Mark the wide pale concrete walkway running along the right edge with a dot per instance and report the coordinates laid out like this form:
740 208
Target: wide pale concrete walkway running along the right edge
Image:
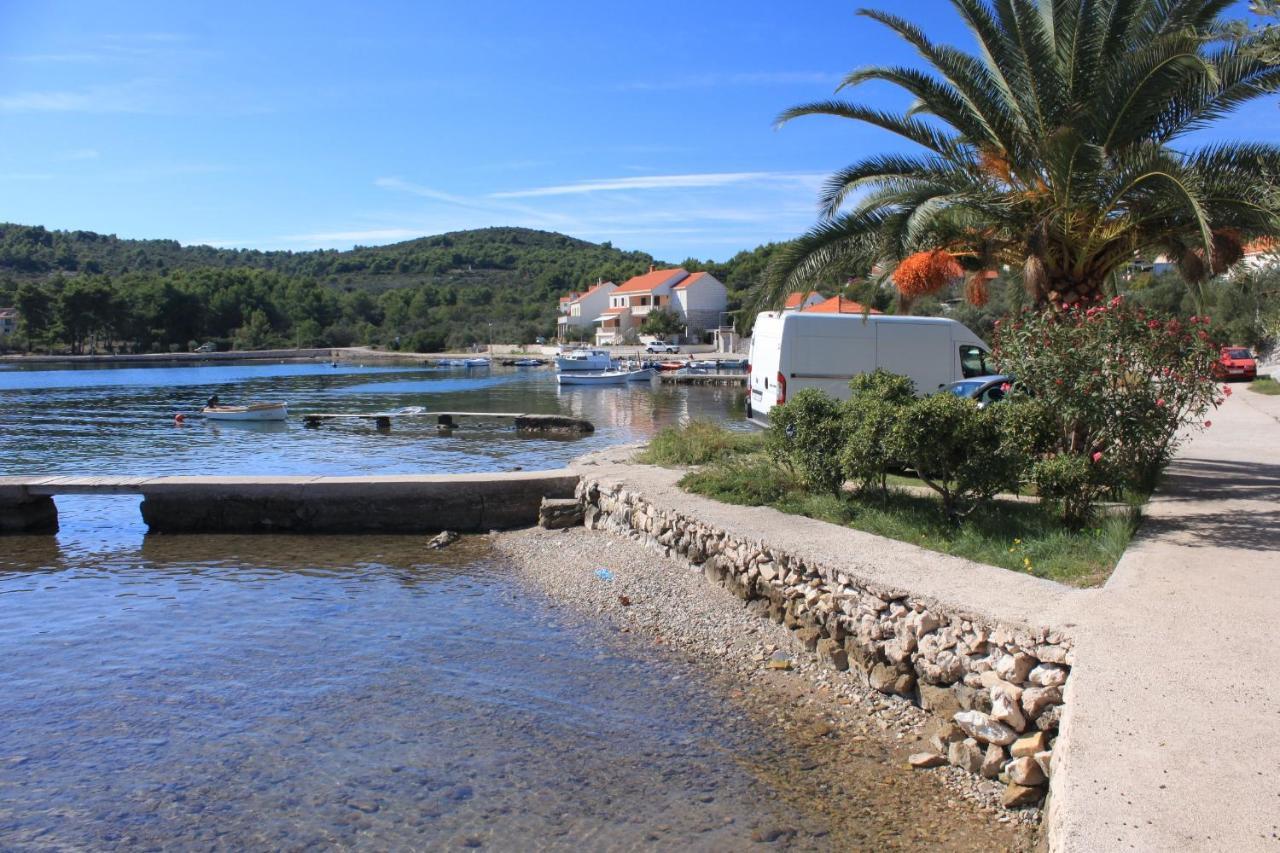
1173 732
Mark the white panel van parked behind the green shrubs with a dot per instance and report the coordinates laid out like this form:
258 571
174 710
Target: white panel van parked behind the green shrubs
794 350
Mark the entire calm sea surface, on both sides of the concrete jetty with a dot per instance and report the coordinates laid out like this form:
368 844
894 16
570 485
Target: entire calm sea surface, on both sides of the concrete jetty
286 692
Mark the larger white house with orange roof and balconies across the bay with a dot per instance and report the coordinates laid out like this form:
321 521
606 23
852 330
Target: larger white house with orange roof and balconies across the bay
698 300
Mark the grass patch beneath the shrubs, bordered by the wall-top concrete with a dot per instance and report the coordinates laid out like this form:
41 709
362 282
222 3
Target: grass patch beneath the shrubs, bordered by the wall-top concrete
1016 536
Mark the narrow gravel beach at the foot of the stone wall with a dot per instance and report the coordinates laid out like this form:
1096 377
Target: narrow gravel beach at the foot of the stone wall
847 746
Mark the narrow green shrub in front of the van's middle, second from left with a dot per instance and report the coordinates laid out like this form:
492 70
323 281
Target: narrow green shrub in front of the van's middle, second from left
870 416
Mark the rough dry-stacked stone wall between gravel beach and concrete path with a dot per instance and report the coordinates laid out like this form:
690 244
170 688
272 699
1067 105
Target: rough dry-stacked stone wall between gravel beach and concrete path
996 691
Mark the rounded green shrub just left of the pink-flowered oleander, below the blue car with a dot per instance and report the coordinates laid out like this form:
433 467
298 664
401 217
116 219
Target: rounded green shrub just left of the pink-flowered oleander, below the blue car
957 450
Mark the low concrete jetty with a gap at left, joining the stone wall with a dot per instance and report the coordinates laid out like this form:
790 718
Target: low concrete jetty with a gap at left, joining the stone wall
387 504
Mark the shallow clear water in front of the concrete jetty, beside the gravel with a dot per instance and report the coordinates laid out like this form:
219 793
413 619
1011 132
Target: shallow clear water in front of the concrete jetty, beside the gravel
292 692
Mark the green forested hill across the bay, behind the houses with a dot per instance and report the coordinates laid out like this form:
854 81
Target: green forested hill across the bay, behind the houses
81 290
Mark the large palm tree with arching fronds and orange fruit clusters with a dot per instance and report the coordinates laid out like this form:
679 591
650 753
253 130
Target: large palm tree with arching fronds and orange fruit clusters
1053 150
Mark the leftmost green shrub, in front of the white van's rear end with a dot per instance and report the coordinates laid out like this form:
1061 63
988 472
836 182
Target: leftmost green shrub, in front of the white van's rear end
808 436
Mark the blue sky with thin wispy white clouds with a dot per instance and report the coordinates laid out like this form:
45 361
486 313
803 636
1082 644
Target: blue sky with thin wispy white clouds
328 125
